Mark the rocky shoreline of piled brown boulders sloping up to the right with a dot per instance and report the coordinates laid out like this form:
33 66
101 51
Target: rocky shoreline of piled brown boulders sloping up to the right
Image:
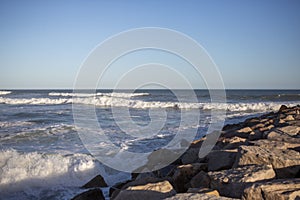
256 159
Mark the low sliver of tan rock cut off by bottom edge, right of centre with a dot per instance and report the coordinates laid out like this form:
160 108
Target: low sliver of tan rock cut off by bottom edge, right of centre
196 196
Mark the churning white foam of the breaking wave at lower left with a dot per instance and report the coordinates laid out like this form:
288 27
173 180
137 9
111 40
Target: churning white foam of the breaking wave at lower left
20 171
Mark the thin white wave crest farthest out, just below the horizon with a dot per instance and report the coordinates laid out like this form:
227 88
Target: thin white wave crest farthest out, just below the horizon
113 94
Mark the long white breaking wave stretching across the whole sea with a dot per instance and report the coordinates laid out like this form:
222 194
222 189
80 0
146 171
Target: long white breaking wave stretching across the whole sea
107 101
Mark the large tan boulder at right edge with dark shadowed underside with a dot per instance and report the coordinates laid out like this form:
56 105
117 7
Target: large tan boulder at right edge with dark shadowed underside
286 163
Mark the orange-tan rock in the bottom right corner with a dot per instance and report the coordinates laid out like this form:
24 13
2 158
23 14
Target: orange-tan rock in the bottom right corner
275 189
